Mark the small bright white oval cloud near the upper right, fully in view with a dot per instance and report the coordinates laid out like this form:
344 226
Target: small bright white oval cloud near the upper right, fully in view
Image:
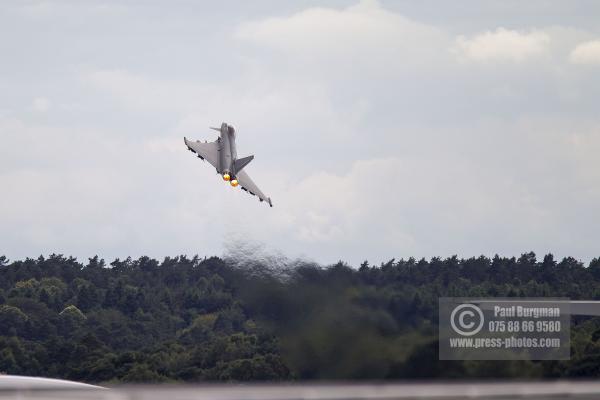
501 45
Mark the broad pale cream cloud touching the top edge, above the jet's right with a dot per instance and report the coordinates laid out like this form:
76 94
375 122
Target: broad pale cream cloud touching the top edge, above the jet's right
365 34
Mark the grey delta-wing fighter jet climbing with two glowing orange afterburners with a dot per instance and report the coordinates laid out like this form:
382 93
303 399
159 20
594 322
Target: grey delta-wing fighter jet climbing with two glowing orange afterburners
222 155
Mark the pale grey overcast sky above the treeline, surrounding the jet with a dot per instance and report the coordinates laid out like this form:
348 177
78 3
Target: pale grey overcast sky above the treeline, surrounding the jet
380 129
